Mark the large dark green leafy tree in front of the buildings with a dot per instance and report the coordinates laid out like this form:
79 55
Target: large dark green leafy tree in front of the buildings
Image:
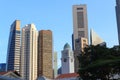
99 62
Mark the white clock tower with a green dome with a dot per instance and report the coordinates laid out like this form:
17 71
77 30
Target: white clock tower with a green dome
67 60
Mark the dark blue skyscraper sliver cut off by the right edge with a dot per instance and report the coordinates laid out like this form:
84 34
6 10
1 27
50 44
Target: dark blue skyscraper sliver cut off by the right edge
118 18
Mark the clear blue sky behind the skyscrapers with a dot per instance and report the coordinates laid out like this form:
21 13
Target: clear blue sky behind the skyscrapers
56 15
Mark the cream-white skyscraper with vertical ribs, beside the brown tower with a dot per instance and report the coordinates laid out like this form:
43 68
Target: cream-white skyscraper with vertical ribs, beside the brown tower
28 68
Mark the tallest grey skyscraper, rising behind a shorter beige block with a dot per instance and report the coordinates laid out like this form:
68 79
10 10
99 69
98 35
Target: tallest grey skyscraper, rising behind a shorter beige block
80 24
